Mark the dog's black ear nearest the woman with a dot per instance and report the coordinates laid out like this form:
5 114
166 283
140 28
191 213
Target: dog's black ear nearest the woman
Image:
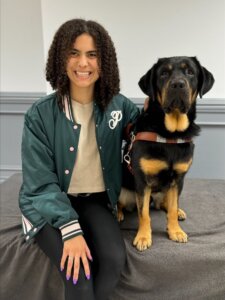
146 83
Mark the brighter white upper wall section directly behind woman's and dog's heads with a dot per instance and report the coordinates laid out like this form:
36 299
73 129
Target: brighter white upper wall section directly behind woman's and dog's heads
145 30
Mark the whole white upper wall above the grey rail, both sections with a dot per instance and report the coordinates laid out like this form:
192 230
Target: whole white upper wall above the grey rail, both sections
142 31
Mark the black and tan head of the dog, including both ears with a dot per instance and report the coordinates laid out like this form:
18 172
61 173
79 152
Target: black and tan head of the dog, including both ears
175 82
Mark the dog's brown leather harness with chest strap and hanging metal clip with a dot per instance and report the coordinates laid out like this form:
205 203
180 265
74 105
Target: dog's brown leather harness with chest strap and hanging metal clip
149 136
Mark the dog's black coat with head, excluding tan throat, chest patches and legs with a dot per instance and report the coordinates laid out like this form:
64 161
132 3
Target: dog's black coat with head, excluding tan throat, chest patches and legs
172 84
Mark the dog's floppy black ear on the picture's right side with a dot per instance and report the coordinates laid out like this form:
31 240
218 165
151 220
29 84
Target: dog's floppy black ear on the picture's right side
206 79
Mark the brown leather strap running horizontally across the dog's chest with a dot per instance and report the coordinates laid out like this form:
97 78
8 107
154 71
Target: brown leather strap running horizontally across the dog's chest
154 137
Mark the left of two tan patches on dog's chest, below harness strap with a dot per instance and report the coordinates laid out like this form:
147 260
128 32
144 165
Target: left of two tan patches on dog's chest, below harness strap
152 166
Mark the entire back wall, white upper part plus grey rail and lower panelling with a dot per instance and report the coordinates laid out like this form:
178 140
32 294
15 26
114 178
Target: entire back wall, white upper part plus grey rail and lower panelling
143 31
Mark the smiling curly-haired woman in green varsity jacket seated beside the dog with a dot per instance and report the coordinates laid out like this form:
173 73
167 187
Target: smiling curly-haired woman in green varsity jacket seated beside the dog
71 157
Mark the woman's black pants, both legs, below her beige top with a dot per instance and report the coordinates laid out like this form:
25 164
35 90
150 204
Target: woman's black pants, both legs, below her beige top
103 237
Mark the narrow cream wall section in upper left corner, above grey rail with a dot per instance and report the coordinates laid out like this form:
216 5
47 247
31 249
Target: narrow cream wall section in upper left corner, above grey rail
22 54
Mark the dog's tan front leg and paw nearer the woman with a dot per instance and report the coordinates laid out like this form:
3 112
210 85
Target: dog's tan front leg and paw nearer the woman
143 239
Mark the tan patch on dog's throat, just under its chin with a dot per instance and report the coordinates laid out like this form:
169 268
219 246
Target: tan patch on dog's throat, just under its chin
176 121
